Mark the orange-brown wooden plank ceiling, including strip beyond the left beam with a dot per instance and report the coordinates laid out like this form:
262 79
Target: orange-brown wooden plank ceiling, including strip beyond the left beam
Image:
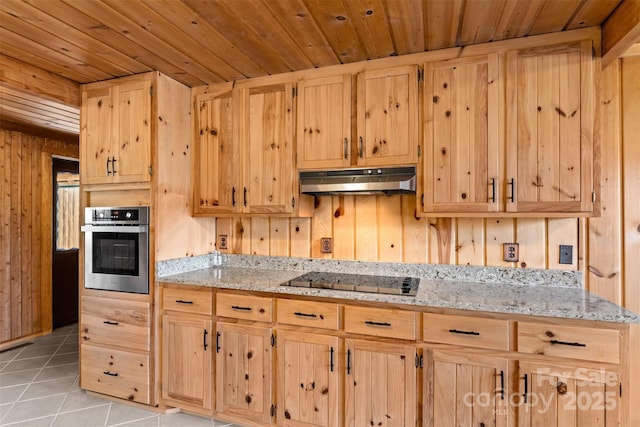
200 42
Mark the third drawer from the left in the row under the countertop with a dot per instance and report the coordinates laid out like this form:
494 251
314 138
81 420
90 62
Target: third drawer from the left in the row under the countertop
308 313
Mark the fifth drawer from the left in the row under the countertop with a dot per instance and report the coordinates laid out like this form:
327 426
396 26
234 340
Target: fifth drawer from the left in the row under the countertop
467 331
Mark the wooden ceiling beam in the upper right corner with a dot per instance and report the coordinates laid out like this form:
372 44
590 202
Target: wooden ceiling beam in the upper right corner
620 31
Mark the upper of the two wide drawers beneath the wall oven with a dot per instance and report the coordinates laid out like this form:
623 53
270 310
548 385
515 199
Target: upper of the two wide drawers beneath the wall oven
113 322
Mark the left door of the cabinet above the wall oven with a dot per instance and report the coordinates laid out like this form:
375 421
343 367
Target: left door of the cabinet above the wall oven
96 136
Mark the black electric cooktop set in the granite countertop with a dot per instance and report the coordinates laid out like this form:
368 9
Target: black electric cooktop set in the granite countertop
357 282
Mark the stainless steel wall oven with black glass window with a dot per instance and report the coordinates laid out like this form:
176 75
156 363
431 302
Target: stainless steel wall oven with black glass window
116 249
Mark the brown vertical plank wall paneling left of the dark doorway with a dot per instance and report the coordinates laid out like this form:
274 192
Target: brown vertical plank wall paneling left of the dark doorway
25 232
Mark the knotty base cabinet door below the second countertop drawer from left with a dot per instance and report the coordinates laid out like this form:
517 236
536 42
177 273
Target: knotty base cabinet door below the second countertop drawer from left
244 366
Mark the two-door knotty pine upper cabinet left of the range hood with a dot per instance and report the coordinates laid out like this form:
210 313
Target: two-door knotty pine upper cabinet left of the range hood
244 158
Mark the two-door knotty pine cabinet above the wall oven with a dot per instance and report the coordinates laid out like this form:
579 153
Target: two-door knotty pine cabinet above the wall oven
115 131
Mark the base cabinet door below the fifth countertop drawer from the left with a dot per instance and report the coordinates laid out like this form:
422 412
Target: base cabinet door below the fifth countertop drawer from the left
465 390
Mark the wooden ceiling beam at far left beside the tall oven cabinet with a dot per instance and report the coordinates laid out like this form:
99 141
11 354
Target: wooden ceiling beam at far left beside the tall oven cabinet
33 80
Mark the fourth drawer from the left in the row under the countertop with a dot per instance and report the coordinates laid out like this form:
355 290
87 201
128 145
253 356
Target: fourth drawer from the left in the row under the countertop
380 322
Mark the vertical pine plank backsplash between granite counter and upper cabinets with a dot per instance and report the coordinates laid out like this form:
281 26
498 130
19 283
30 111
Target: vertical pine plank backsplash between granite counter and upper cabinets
385 228
